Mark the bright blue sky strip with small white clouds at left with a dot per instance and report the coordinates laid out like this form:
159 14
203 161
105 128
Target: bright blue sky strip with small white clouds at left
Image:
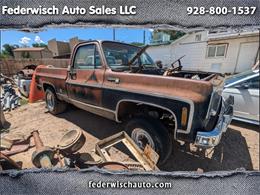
64 34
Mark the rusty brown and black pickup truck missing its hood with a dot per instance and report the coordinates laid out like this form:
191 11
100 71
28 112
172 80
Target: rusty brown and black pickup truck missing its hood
121 82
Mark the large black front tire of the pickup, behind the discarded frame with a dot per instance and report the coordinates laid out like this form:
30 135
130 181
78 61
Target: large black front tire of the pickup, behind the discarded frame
157 131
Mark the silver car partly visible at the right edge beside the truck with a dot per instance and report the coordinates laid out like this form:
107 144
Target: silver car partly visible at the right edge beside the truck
245 89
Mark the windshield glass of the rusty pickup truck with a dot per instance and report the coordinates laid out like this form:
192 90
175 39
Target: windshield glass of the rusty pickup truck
118 56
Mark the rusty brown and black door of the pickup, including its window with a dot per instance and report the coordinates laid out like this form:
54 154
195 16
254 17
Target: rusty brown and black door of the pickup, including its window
86 75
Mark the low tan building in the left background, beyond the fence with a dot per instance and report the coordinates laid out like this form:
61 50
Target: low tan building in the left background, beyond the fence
32 52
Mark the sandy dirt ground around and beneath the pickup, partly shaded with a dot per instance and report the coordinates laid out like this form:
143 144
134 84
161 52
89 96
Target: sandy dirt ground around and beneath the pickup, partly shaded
239 147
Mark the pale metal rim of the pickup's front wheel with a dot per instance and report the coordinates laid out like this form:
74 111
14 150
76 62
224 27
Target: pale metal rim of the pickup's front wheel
141 138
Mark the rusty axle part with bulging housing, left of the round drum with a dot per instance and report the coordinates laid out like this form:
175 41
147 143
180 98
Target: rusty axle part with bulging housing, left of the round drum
42 157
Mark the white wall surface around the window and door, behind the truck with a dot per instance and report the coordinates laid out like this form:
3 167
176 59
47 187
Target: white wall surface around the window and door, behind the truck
195 53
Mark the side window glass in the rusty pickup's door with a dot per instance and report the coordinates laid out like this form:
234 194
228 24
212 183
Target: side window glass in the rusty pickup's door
87 57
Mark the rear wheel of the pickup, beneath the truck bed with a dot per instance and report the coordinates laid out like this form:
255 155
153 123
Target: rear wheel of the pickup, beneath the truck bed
58 106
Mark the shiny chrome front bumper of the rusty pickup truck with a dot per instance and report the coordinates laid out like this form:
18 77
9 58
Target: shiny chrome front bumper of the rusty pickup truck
212 138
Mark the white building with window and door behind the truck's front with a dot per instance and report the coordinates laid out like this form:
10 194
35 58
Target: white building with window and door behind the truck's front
224 52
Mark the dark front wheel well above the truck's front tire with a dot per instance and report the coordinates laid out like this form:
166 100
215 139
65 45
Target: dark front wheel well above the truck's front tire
129 109
